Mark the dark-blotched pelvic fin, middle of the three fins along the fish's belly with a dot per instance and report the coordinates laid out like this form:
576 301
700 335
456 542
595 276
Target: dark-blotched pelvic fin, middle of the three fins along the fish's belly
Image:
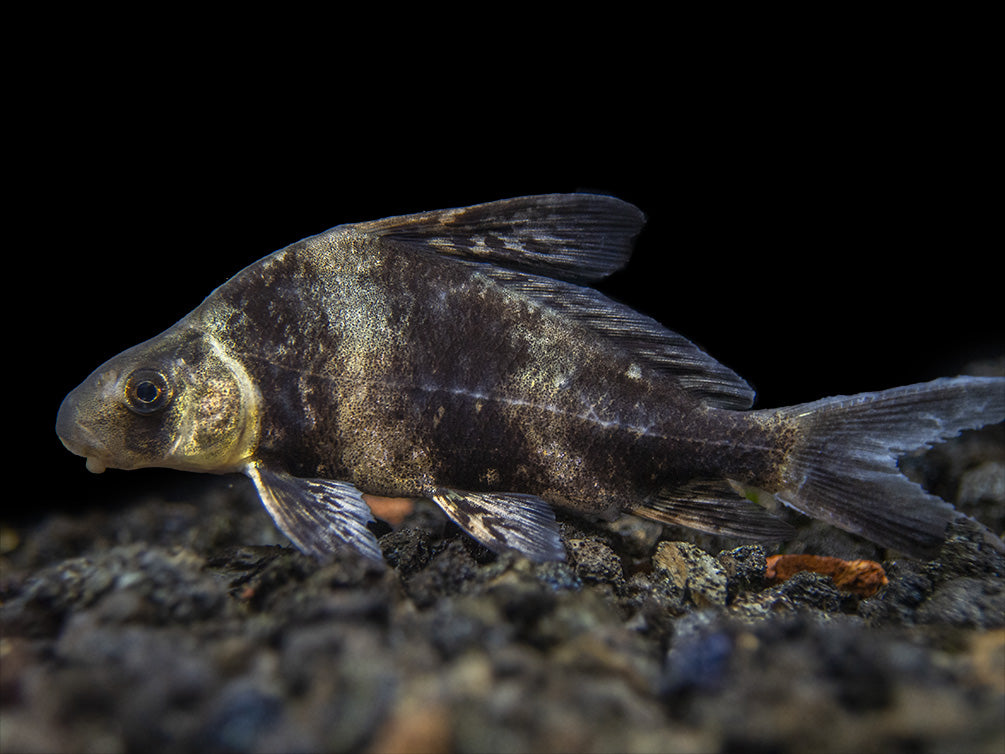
506 521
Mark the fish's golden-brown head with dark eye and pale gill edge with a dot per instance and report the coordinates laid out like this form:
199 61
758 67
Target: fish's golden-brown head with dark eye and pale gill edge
176 402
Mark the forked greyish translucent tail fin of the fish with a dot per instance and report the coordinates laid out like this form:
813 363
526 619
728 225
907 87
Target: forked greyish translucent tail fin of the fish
844 468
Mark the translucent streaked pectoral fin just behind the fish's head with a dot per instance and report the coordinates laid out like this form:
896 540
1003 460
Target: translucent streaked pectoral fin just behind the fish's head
319 516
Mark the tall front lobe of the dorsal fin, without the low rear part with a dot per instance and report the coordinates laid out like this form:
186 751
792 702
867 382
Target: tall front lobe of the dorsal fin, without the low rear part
576 238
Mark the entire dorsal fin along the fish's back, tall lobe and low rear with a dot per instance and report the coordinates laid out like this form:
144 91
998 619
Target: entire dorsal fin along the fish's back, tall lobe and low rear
541 248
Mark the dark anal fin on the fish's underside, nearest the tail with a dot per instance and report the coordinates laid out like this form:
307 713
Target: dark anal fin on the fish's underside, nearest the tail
713 506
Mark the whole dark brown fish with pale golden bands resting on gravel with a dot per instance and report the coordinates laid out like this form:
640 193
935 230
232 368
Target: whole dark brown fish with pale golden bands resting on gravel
464 356
